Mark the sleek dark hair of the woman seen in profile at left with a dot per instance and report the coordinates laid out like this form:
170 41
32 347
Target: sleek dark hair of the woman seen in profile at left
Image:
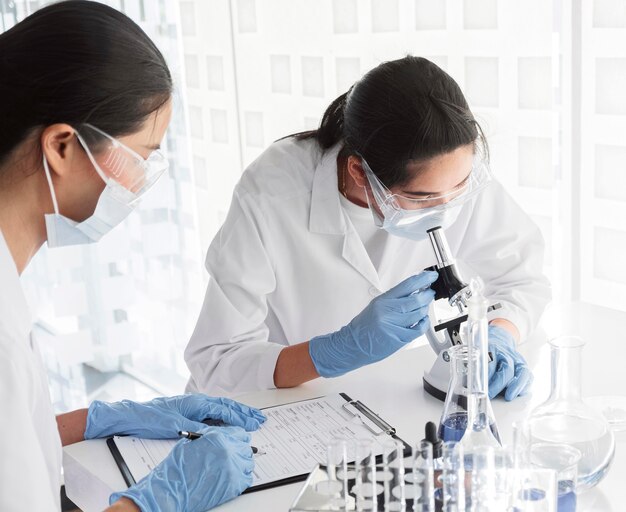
78 62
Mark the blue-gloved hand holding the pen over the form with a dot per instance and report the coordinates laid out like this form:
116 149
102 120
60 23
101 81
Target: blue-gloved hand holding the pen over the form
196 475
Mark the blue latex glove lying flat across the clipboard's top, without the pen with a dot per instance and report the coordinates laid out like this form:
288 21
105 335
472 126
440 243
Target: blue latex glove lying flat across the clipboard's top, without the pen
163 417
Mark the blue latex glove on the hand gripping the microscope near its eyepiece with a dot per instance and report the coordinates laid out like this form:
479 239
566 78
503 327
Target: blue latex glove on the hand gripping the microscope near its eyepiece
388 323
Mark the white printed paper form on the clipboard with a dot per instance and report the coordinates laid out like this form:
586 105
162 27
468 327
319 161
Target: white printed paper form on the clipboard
294 439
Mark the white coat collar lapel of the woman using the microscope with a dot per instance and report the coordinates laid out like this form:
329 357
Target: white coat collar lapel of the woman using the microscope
327 216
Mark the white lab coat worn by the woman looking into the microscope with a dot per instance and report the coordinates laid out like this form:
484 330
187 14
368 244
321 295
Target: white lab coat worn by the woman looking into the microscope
288 265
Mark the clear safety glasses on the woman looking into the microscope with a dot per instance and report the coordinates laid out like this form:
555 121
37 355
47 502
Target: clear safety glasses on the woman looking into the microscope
388 202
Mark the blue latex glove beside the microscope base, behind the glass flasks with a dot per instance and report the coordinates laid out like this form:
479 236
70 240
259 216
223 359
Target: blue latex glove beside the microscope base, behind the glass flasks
508 370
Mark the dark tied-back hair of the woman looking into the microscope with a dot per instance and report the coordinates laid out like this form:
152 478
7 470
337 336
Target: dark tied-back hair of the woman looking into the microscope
402 111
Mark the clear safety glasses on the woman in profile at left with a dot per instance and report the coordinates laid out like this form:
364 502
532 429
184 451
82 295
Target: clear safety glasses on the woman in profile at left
118 164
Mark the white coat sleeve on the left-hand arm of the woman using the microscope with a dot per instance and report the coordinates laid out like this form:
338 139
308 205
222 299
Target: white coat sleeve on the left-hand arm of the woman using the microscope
229 351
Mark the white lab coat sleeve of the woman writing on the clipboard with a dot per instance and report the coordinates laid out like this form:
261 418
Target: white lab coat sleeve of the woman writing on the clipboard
23 470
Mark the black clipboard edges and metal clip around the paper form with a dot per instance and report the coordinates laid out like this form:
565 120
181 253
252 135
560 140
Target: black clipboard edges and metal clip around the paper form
354 409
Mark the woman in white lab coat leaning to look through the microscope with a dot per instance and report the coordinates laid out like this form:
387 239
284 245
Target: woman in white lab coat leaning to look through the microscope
317 268
